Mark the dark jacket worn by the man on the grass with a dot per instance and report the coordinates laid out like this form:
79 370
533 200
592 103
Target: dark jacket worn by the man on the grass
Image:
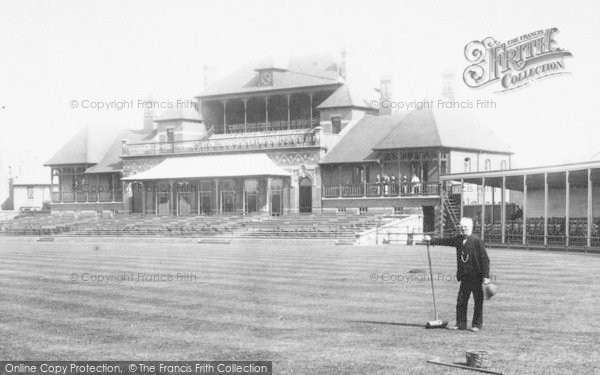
472 262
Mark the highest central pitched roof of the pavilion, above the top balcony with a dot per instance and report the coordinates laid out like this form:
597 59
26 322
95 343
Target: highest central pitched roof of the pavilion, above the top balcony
304 71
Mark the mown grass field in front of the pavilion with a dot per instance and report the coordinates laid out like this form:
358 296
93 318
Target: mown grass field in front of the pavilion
310 307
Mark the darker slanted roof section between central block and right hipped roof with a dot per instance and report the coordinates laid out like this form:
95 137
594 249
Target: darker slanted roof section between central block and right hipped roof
357 145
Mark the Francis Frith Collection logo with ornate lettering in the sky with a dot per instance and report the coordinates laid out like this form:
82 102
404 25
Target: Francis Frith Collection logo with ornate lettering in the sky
515 63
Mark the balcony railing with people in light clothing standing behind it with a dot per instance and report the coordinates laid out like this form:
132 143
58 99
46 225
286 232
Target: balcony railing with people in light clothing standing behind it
372 190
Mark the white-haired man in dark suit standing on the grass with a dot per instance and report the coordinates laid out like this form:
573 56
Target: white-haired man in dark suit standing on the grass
472 269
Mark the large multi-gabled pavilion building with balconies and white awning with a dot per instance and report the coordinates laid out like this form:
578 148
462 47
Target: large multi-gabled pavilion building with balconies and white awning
275 138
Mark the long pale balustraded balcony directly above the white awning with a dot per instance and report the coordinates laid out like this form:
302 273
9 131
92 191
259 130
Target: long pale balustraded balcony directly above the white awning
225 143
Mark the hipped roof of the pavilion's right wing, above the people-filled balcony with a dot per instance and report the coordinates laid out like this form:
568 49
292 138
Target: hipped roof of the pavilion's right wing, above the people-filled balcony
449 128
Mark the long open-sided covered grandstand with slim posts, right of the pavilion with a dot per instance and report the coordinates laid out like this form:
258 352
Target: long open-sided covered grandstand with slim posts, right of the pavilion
555 205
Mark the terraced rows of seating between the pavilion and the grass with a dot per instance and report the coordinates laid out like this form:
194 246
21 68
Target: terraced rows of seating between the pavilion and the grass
290 226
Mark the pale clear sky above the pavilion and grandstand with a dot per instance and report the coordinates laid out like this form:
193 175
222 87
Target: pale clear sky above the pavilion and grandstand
52 53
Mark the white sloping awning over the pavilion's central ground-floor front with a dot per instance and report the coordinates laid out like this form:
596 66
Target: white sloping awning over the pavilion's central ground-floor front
239 165
